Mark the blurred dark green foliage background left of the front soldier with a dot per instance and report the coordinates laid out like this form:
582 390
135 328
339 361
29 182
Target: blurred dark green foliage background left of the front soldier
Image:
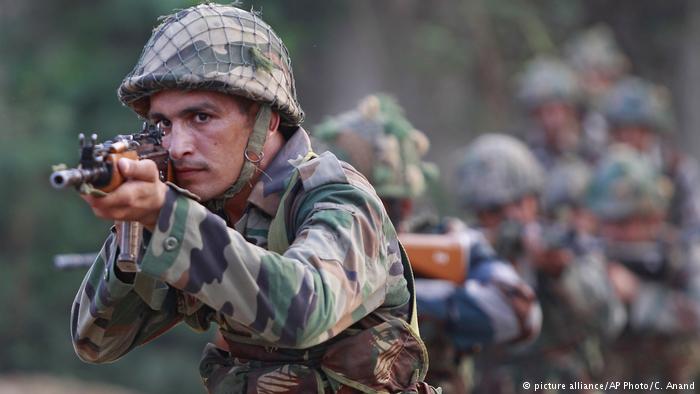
61 63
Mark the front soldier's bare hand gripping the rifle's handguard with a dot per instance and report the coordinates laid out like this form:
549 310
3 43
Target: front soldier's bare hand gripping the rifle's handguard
139 199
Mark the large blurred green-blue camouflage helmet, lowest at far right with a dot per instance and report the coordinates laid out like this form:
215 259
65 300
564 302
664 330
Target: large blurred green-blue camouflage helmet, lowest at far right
626 184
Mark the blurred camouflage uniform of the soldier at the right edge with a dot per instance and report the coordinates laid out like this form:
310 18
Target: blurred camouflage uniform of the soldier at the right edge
661 339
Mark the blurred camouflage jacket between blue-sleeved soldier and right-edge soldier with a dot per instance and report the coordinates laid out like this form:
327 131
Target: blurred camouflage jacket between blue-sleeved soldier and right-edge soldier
581 312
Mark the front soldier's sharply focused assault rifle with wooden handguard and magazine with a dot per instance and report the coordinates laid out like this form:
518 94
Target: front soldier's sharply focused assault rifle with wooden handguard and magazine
97 173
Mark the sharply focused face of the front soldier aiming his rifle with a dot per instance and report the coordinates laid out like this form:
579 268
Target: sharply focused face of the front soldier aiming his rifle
206 134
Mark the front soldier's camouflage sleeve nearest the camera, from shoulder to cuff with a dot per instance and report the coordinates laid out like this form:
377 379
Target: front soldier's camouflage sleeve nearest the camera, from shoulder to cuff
334 273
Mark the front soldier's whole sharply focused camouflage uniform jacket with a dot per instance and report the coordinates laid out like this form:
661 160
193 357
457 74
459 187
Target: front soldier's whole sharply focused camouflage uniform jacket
342 273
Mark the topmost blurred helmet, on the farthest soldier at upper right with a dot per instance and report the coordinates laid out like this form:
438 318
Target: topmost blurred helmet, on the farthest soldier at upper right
596 50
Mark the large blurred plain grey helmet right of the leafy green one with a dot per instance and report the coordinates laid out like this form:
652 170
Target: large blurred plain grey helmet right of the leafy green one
497 169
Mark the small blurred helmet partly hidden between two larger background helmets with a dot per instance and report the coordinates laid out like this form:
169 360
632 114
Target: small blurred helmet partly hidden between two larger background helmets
566 185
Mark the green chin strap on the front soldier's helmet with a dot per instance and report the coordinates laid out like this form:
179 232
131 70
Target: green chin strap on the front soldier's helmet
253 155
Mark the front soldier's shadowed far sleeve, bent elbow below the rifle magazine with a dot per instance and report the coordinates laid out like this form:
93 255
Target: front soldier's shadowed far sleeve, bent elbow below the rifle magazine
109 318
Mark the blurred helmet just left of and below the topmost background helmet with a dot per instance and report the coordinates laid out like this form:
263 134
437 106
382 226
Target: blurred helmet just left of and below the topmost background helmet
546 79
